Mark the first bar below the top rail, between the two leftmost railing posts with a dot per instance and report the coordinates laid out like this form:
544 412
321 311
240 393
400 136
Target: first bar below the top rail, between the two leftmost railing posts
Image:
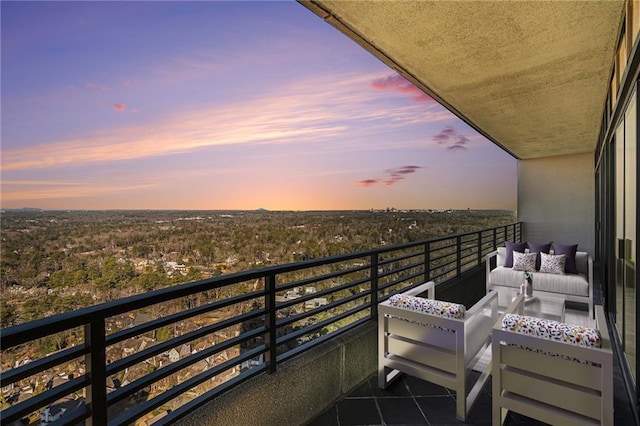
179 316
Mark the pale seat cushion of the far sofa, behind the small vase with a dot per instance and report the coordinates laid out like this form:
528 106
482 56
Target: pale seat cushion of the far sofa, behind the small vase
573 284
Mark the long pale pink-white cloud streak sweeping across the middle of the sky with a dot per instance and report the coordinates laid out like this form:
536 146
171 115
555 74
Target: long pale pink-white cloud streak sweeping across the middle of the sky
317 109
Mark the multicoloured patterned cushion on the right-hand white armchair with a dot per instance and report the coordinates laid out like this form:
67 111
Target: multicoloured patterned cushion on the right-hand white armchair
552 330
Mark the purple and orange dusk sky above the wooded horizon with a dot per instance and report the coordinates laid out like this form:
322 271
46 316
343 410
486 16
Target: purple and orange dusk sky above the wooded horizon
221 105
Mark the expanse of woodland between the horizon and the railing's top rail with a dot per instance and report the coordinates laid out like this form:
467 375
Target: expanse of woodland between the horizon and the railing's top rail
55 261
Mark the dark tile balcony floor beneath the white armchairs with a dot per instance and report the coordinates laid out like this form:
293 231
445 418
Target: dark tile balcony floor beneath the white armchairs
411 401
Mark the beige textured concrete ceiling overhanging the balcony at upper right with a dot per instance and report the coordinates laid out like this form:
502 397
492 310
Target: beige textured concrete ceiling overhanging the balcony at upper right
530 75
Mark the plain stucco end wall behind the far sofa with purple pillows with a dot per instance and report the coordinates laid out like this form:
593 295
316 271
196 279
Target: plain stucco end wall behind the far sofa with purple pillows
556 200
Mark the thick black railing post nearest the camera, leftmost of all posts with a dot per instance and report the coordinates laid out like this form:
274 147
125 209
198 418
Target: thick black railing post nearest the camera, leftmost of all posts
96 368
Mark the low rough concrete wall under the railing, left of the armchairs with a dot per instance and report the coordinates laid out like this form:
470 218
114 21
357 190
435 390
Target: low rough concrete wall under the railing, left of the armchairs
301 388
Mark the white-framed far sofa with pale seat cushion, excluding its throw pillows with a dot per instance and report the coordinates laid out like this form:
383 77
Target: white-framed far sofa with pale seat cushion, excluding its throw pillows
573 287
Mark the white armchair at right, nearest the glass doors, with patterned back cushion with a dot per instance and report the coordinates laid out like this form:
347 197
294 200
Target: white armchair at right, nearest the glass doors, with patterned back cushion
536 372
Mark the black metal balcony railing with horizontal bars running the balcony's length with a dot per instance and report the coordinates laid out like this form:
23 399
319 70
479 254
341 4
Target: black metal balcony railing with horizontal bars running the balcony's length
158 356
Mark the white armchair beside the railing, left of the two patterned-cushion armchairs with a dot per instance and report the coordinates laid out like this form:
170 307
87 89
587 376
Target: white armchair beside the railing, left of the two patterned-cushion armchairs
434 347
